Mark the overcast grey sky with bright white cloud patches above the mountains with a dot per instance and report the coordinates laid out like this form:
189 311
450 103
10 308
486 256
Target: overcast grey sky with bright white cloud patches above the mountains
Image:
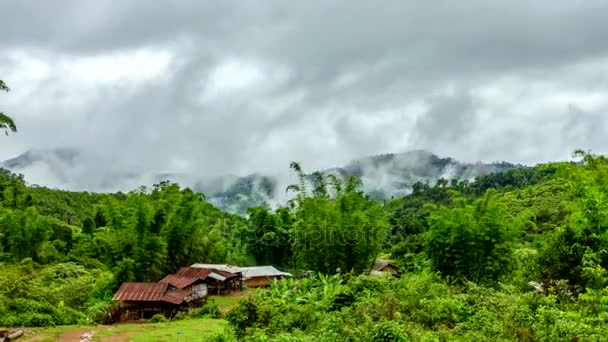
219 87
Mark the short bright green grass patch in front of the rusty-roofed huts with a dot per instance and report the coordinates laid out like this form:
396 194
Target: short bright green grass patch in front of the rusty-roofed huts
176 331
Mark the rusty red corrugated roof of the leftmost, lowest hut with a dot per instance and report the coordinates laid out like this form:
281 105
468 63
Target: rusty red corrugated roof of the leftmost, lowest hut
149 292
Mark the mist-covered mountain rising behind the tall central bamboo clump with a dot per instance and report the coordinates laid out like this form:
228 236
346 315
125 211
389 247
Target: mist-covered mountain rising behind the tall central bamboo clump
383 177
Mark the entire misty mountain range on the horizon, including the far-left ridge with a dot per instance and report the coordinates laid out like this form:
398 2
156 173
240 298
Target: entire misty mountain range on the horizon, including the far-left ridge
383 176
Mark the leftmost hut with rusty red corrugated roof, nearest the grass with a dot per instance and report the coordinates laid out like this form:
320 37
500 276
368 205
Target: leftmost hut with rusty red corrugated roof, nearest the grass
144 300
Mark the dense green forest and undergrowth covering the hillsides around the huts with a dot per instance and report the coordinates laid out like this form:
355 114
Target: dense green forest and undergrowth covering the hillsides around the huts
519 255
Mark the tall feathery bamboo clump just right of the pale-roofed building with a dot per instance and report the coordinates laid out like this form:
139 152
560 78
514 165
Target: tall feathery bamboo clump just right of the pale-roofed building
336 234
